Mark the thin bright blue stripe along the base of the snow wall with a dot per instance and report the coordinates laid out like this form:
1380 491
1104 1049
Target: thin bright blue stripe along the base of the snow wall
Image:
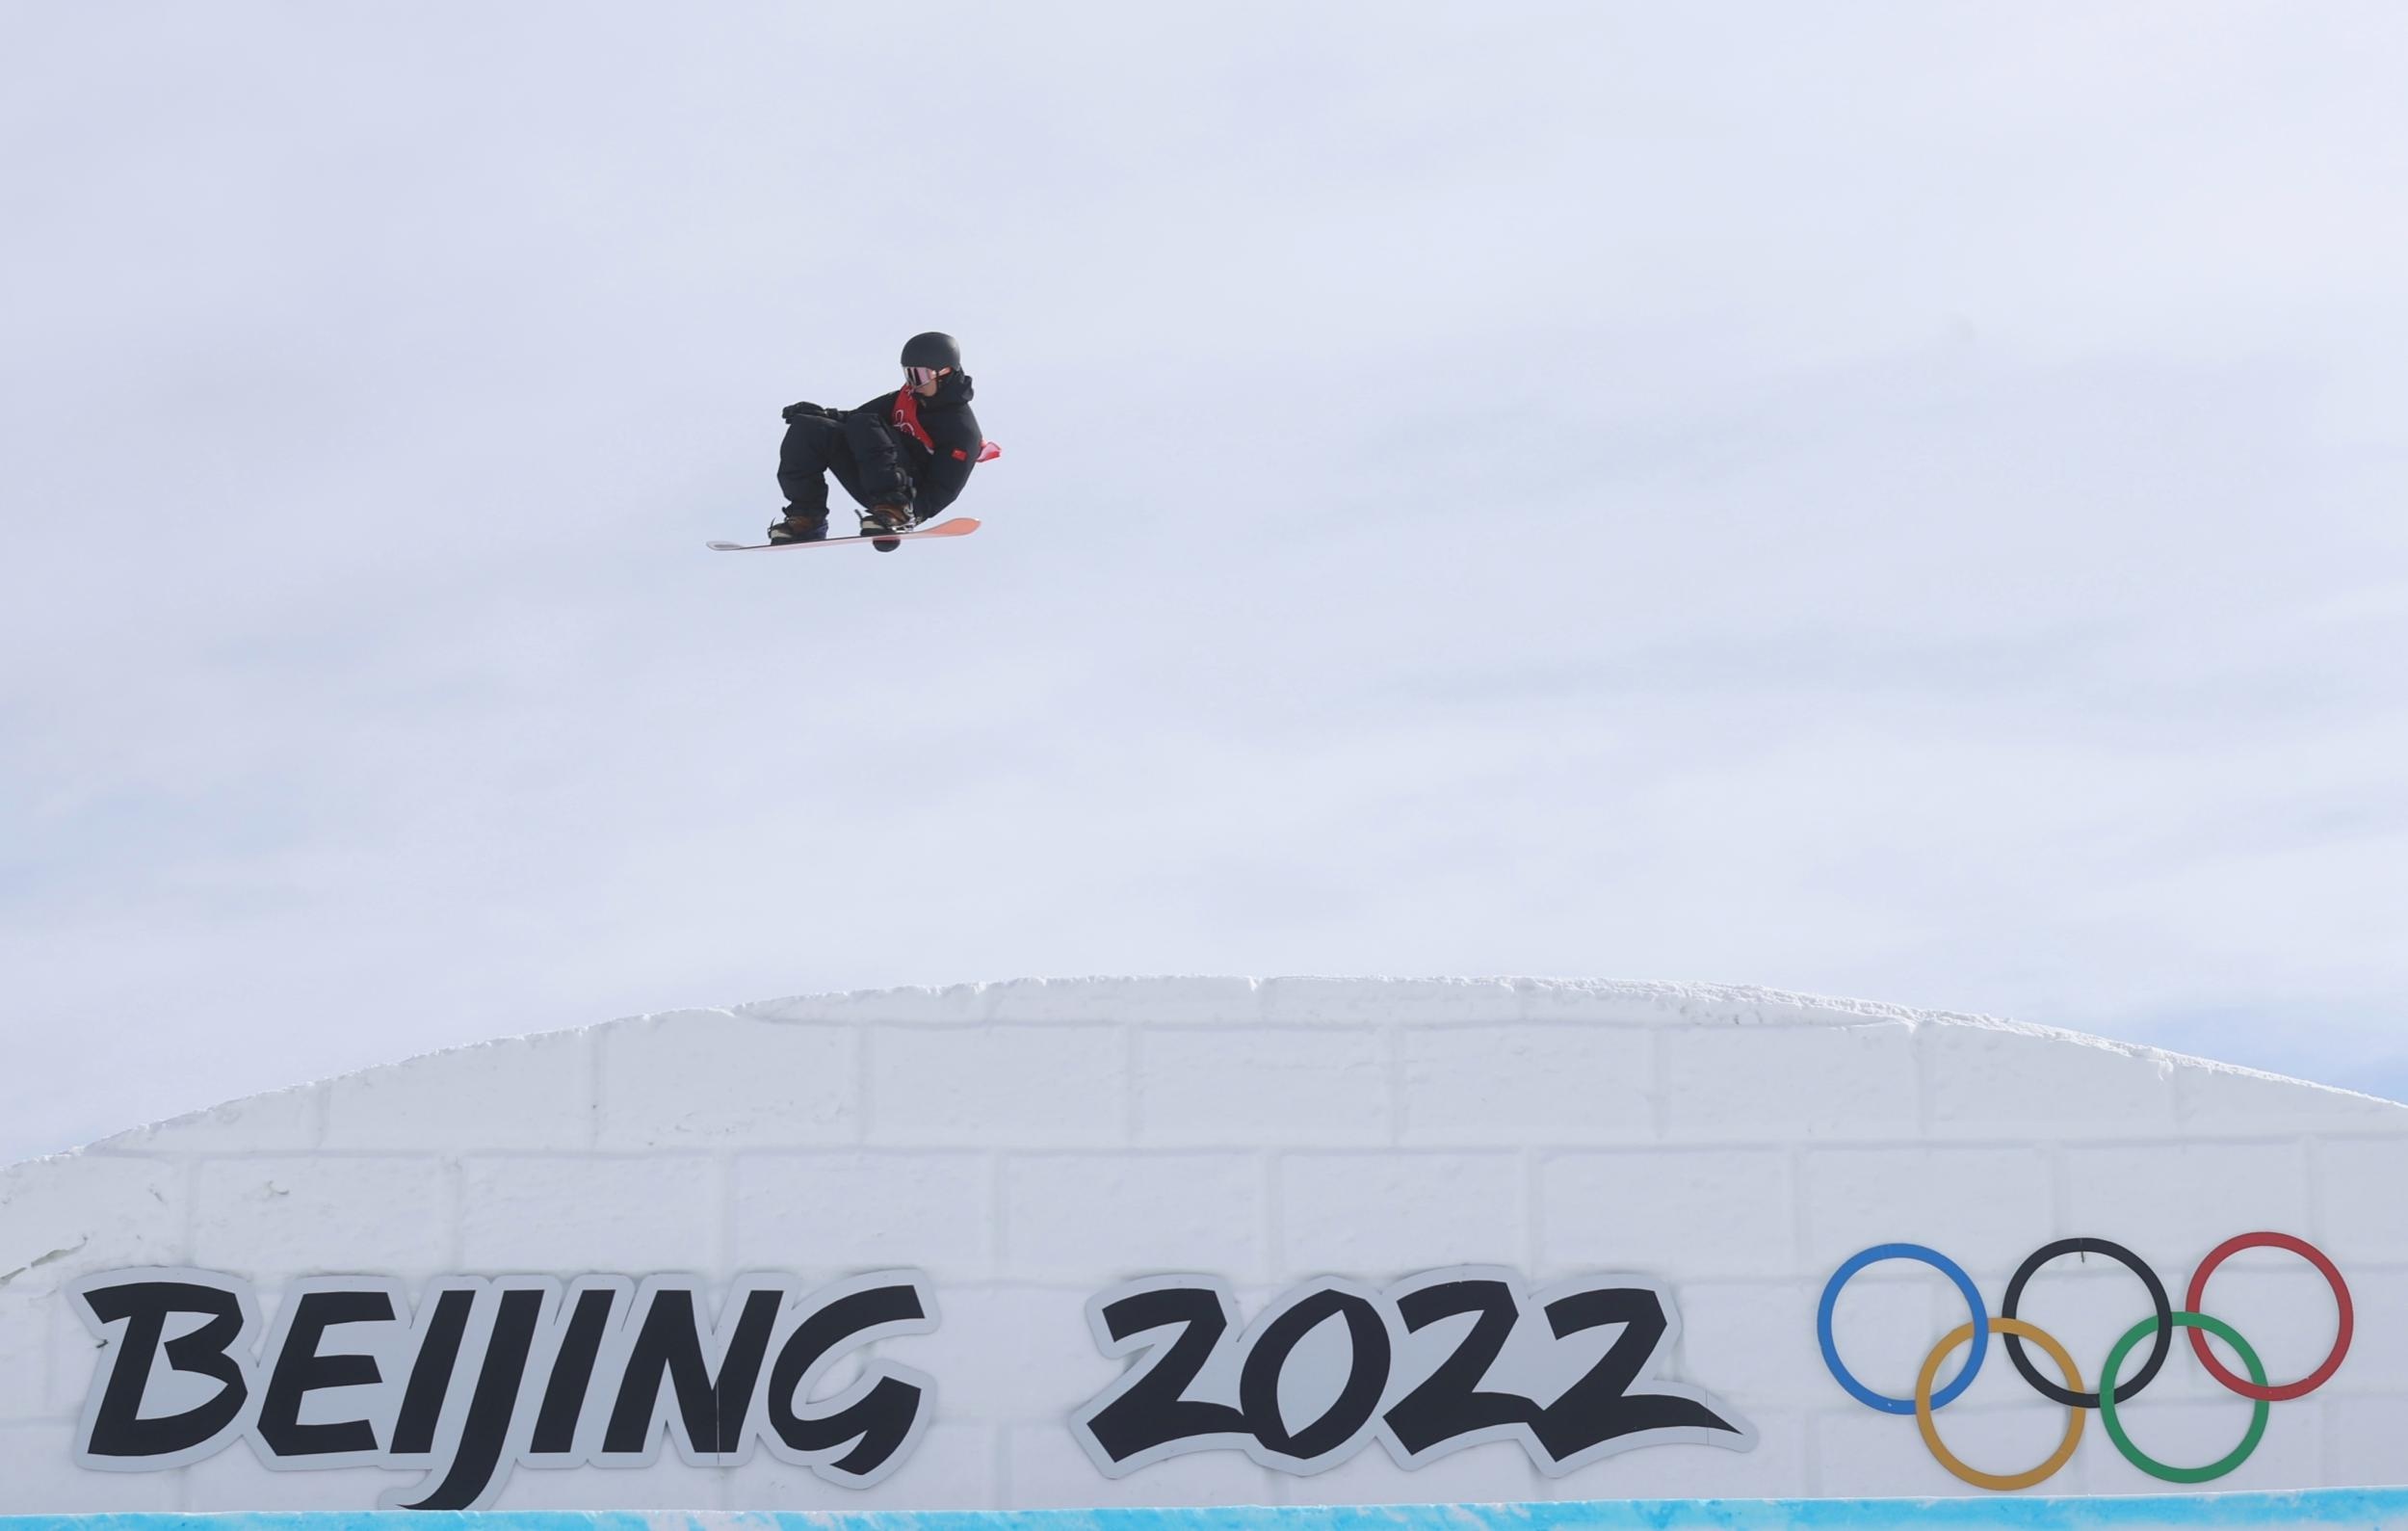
2339 1508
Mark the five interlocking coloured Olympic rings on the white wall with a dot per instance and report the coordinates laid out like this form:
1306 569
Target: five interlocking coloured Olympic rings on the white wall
2159 1330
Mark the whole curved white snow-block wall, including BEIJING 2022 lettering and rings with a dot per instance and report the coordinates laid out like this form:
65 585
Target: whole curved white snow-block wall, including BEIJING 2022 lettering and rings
1489 1253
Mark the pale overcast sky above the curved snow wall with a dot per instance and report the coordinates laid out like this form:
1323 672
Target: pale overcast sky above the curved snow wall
1875 500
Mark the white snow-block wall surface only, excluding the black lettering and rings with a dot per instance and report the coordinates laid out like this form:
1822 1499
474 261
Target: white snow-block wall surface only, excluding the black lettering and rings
1032 1145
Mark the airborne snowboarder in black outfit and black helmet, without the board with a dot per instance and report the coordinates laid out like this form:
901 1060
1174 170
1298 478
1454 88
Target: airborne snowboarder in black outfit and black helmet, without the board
904 456
